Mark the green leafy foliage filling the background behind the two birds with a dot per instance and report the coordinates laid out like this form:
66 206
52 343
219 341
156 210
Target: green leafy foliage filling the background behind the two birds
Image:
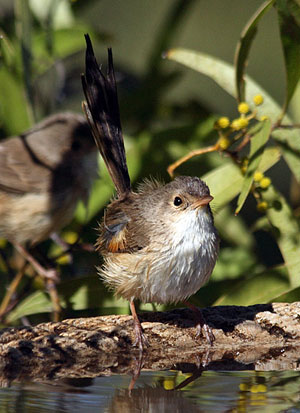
168 110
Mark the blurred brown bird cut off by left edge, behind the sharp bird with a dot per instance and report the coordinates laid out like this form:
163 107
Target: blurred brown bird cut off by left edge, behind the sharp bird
44 172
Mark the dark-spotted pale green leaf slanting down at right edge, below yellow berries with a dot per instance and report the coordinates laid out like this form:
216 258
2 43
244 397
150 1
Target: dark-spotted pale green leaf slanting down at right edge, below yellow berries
286 231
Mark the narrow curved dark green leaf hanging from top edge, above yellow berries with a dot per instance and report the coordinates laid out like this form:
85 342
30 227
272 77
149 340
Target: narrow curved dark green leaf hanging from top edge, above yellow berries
243 47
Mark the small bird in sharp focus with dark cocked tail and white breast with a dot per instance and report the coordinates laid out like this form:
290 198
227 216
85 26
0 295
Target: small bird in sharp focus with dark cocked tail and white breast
158 242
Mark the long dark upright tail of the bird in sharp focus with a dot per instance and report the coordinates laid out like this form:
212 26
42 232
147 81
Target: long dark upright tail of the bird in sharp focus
102 112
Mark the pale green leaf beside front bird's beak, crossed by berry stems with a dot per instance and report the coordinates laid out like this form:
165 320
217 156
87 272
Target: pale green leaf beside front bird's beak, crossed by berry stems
225 182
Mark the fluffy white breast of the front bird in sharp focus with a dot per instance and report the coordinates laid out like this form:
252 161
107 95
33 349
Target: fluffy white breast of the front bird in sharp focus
187 260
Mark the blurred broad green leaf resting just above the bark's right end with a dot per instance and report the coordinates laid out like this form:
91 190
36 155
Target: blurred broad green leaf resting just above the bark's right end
260 288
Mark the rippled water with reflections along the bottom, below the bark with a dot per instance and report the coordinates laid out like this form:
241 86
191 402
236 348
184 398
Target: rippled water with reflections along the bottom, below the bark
167 391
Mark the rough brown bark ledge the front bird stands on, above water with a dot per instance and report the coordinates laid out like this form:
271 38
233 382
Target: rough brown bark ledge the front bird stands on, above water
262 337
